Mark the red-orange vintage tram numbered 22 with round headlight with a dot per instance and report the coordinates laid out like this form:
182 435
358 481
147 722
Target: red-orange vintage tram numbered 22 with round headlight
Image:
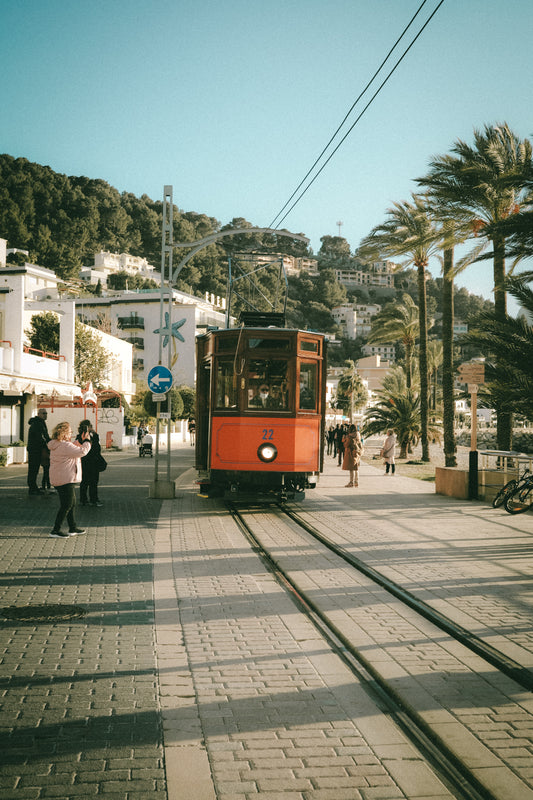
260 411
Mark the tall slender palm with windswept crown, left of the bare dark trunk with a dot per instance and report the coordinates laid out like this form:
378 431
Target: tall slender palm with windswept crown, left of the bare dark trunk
410 231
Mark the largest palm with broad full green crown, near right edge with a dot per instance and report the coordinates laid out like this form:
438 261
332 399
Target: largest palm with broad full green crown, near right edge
486 183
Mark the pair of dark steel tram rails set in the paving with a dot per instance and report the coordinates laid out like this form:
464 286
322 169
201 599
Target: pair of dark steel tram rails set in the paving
447 761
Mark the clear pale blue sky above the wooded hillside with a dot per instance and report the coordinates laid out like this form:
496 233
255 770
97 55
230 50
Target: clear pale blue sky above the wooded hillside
231 102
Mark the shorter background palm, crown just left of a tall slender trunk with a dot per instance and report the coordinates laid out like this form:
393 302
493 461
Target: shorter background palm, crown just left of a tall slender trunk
398 321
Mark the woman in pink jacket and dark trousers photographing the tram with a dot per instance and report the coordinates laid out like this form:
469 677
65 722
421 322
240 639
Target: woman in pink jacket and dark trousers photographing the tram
65 473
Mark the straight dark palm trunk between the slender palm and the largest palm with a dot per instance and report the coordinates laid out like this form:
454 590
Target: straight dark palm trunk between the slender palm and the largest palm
448 400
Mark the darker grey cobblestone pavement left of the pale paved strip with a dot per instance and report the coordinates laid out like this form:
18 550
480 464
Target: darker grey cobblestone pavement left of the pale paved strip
79 714
